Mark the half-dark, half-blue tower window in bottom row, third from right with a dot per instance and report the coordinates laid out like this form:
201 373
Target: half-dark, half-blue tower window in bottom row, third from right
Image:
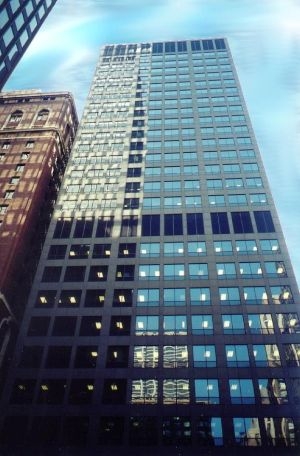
209 431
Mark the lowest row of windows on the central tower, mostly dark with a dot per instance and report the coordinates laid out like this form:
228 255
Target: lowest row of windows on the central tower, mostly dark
144 431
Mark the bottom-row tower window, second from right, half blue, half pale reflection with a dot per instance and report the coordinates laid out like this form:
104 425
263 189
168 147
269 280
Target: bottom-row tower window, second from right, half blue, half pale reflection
247 431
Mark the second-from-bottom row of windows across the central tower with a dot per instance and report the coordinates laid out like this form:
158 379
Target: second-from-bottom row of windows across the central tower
151 391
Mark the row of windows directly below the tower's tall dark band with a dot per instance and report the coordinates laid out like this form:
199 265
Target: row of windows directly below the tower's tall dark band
166 249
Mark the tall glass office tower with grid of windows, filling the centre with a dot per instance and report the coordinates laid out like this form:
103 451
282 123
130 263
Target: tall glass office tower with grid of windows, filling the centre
163 318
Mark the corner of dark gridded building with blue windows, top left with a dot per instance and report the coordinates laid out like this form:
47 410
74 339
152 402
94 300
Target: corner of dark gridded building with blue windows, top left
19 22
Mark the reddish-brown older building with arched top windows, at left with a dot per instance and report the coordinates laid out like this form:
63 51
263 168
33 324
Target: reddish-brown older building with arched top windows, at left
36 135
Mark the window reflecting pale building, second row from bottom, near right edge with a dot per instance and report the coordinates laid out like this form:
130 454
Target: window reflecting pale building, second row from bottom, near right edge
272 391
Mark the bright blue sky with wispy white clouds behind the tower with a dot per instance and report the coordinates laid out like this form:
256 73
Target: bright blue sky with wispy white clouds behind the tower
264 36
